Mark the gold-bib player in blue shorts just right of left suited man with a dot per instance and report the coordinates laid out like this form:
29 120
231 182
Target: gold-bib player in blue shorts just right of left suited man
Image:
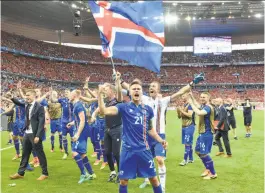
55 114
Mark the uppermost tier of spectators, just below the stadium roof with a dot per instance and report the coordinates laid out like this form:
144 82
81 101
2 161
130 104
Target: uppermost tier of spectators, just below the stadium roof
38 47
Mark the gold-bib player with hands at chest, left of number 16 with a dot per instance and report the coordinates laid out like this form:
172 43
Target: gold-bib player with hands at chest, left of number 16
188 127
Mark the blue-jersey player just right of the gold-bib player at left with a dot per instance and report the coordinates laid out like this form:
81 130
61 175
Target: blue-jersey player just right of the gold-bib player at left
67 117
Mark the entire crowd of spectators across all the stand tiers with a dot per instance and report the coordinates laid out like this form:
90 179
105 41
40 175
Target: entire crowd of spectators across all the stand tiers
69 72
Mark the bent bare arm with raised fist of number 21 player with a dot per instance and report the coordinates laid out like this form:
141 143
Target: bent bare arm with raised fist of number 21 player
103 110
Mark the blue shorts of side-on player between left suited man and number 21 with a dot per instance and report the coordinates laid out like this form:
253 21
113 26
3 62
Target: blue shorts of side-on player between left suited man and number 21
80 146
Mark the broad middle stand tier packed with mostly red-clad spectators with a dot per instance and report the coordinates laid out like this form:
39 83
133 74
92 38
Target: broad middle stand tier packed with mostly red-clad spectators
103 73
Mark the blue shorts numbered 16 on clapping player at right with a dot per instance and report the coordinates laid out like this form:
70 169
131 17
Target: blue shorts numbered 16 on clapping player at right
204 143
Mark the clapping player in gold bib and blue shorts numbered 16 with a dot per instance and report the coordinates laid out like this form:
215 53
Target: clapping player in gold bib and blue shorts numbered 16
206 129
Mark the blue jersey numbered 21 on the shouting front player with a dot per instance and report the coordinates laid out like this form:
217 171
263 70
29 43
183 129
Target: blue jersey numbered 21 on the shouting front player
136 124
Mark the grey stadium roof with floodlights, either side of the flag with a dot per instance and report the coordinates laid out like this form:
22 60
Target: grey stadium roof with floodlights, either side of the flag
184 19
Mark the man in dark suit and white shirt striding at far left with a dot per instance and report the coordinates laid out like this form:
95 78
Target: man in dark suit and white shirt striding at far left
34 131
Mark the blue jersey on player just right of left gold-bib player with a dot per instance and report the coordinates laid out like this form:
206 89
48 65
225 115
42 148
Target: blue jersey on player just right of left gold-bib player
67 107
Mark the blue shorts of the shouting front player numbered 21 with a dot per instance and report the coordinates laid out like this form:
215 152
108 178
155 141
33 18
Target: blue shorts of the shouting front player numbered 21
136 164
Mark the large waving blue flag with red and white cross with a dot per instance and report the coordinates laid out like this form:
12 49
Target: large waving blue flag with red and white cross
131 31
